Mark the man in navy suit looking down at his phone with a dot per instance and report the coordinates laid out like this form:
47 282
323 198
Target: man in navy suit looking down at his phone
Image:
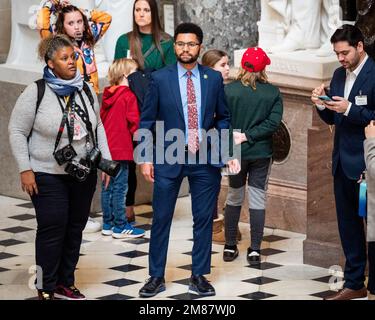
351 108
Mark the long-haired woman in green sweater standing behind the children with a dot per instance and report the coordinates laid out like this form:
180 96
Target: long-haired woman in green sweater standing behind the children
152 49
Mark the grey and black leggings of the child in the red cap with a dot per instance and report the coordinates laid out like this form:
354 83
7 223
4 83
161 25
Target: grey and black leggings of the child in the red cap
256 173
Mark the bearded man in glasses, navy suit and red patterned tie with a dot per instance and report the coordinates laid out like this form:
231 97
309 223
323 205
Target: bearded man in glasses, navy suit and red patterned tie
190 98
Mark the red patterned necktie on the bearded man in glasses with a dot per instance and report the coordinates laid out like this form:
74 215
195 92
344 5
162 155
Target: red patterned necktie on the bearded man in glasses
193 137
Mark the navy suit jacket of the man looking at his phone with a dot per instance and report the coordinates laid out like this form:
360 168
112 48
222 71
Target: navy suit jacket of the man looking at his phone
349 130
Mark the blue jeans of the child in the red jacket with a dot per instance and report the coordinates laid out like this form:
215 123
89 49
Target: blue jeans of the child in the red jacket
113 203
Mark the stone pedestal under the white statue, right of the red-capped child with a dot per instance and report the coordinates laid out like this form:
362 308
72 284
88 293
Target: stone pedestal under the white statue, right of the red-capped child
300 194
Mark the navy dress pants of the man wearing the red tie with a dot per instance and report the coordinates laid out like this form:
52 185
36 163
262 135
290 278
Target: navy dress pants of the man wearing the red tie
204 181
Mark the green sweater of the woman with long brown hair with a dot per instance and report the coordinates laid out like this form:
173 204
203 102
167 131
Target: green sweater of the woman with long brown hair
154 60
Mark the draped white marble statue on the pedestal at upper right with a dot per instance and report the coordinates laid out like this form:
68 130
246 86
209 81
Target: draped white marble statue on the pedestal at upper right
298 25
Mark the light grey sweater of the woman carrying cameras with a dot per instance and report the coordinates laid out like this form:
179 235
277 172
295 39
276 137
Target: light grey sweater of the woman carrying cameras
37 153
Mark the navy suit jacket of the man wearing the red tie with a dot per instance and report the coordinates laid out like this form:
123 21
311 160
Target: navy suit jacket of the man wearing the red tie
163 103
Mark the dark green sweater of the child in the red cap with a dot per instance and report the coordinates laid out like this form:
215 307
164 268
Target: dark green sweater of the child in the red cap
257 113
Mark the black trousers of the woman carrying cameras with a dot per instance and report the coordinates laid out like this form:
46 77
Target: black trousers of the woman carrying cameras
62 208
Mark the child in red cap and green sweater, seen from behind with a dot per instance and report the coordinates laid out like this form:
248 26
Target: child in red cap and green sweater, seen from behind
256 109
